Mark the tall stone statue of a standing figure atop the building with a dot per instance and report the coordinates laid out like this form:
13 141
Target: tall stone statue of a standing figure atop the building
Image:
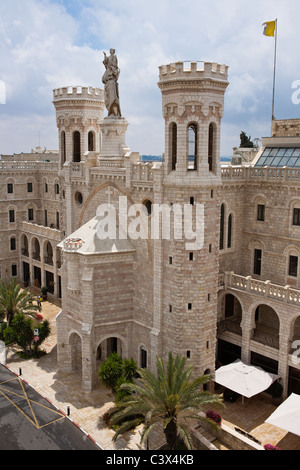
111 86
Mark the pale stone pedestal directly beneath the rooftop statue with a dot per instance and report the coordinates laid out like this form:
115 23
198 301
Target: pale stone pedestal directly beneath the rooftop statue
113 138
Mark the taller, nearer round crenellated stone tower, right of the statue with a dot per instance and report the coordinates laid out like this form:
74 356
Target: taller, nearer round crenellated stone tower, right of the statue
193 106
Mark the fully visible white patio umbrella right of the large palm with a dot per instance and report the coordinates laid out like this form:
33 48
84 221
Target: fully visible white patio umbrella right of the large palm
243 379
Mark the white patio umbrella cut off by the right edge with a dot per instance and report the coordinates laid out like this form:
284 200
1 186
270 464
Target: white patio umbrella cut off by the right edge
287 415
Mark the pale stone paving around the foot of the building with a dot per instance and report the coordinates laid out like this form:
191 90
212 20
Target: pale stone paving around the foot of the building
87 409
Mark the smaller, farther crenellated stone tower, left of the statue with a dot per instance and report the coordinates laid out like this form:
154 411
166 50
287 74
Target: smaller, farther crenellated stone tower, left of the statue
79 112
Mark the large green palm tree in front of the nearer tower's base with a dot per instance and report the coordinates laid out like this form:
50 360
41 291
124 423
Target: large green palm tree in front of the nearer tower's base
168 398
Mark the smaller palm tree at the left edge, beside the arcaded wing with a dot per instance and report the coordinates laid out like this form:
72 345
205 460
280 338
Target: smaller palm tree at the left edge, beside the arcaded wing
14 300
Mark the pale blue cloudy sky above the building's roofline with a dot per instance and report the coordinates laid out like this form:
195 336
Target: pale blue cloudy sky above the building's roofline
46 44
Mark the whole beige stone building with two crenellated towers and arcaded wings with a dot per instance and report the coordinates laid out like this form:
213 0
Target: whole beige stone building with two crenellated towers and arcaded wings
234 294
